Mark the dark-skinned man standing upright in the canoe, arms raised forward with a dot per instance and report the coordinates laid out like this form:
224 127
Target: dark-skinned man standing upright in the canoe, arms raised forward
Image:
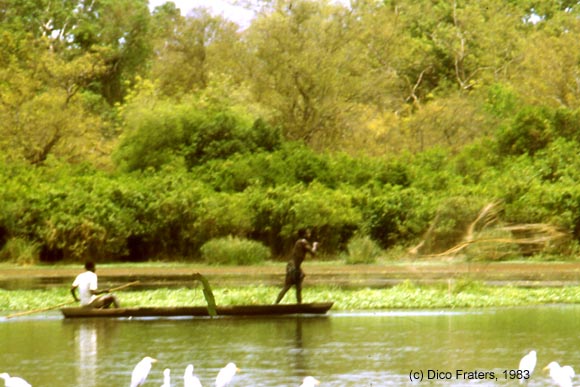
294 273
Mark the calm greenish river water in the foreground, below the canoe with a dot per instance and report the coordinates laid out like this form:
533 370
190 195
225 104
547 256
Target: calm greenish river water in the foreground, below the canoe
342 349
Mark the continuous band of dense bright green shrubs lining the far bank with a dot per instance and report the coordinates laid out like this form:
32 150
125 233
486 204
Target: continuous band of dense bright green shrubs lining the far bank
168 208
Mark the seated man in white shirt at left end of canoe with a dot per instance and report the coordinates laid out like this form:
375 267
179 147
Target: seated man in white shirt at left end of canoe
89 294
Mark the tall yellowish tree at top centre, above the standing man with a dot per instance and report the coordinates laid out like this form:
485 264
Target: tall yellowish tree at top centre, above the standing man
304 68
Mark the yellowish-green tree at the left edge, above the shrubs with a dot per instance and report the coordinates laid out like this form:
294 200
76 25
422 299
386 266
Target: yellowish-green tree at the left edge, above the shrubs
41 111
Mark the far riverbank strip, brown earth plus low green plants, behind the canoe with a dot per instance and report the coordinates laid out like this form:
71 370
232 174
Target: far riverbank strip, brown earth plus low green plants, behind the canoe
428 285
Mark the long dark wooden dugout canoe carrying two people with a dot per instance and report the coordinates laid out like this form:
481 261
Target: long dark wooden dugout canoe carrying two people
317 308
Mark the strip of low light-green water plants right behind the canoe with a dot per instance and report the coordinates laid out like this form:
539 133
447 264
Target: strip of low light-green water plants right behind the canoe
403 296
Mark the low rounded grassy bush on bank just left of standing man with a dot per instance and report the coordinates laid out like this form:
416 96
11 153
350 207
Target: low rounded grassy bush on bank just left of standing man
234 251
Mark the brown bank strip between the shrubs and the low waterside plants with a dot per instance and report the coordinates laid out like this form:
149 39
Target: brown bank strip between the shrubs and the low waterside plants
328 273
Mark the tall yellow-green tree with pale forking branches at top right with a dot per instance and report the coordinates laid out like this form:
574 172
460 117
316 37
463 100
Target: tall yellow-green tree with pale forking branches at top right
469 42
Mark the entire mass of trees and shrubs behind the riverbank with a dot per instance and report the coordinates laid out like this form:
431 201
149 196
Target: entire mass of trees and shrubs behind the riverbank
419 127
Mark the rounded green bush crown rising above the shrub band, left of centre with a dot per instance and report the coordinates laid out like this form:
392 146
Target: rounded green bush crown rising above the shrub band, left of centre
169 131
